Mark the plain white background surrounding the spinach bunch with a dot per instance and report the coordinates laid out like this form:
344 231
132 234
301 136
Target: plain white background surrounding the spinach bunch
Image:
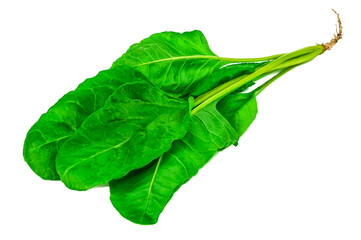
296 173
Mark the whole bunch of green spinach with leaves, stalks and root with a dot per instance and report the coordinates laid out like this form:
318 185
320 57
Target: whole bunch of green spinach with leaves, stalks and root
150 122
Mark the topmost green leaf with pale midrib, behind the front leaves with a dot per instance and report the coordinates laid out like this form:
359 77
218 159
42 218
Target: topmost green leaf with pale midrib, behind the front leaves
182 63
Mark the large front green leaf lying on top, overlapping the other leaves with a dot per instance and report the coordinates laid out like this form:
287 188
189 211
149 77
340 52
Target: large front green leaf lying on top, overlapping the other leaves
136 125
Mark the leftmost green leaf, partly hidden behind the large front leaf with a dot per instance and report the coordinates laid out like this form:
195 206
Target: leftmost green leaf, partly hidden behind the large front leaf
61 120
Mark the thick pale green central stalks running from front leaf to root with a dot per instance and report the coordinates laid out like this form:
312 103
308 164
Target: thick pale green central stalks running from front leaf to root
291 59
